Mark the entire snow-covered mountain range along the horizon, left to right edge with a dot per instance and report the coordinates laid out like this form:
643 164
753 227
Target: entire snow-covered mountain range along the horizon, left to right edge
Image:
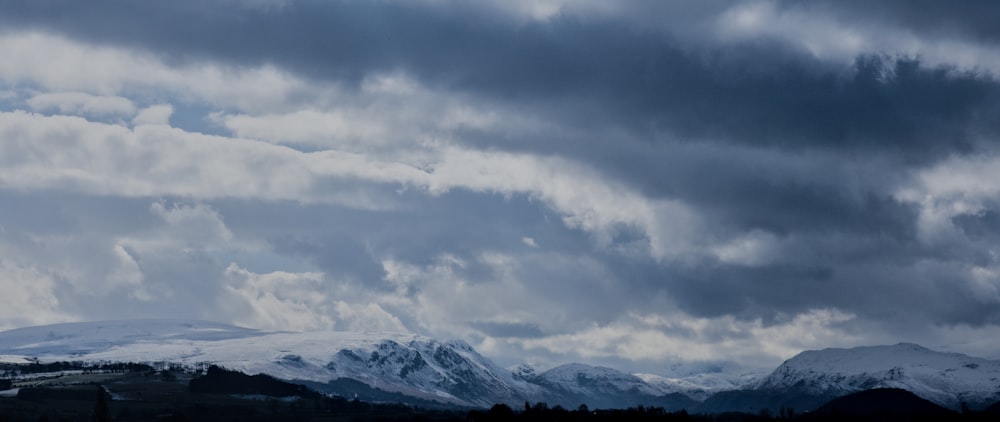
408 367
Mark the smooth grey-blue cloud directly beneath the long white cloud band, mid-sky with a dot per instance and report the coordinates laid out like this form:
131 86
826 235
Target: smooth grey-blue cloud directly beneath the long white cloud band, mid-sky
351 243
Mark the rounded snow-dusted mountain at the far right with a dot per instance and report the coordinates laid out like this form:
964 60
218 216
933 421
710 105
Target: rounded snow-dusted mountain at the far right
944 378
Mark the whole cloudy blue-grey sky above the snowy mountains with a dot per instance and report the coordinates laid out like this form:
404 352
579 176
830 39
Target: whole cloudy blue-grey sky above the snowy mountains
653 186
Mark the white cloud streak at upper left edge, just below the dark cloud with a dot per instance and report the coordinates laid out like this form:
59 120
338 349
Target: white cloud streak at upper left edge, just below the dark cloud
57 64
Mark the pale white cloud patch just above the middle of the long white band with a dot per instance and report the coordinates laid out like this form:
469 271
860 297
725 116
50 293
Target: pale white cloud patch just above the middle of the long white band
391 116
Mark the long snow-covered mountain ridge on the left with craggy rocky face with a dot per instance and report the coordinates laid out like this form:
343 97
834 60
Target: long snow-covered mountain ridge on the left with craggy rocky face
416 366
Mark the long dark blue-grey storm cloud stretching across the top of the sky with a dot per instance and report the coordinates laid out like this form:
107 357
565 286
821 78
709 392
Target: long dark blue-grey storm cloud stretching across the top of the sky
581 71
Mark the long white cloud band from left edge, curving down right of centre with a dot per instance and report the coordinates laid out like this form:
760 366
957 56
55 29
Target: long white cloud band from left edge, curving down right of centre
58 152
